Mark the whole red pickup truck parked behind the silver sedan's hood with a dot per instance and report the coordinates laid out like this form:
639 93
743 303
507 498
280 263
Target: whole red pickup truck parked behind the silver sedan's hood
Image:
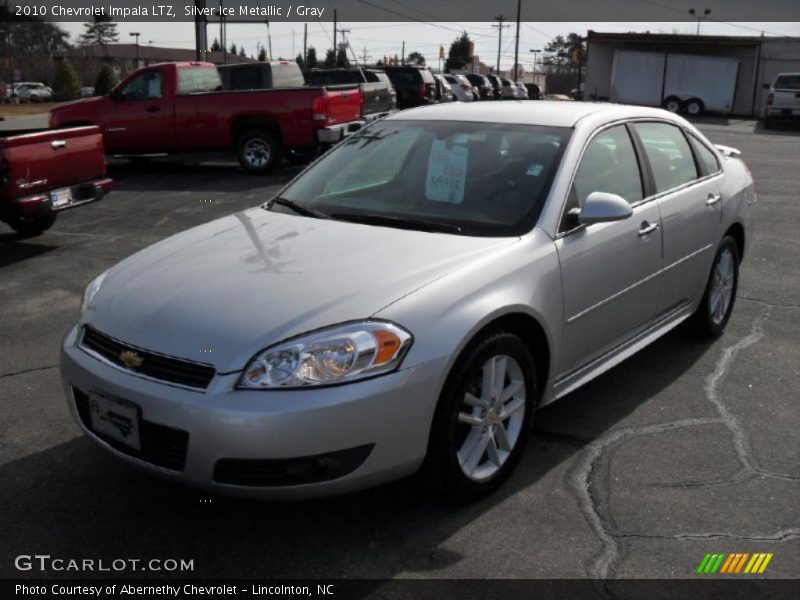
180 107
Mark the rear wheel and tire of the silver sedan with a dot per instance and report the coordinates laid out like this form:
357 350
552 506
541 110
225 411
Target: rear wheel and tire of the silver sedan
715 310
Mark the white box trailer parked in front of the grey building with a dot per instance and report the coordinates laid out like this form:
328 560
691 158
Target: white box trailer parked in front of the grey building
687 82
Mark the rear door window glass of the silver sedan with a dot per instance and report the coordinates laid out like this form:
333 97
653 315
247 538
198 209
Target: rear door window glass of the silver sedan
670 157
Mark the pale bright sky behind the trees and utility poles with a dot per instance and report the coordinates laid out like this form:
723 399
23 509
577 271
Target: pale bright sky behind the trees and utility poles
379 39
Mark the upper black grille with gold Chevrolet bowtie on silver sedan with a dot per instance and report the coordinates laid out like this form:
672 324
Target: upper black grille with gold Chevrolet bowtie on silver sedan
157 366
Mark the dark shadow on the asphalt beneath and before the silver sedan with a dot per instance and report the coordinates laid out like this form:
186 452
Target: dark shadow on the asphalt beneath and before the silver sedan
74 500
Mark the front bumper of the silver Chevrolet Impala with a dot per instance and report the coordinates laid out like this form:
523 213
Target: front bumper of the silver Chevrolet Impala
373 431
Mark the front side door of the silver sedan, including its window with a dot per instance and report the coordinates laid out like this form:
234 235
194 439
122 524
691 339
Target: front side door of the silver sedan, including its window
609 270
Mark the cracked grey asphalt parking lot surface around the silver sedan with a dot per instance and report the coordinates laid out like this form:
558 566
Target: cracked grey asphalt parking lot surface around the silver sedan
689 447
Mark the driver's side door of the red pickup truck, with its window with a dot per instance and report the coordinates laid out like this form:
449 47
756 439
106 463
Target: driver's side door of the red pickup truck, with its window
140 119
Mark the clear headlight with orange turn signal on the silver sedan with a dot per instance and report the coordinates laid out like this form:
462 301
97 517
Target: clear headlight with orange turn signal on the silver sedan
336 355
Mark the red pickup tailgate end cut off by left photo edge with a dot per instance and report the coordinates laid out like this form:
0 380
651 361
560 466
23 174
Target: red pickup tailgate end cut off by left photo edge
46 172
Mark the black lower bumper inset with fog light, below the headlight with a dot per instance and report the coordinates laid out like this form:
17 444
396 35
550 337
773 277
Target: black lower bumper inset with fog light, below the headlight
290 471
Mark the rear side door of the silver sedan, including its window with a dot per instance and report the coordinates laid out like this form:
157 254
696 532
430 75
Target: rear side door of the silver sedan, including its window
686 186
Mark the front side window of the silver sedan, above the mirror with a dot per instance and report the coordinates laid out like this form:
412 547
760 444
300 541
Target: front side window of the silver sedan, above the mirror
608 165
